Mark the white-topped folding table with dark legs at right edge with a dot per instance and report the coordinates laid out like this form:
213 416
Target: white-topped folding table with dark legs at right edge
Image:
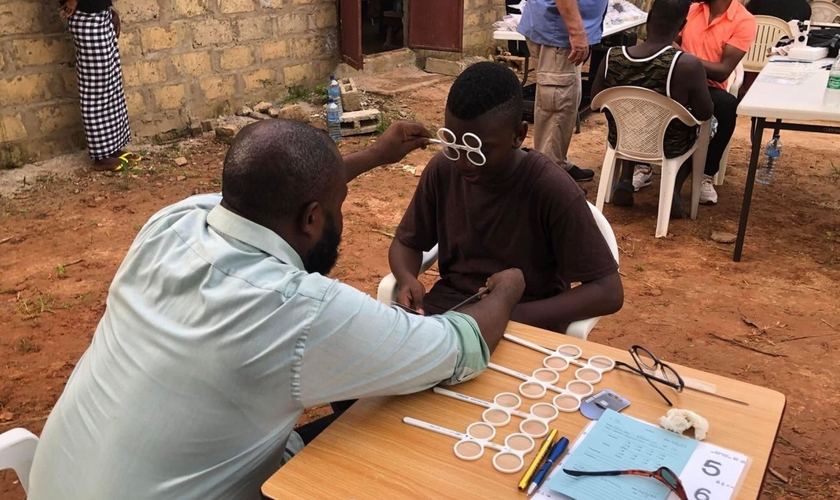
782 103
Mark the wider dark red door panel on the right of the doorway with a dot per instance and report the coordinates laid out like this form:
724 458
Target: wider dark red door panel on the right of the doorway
436 25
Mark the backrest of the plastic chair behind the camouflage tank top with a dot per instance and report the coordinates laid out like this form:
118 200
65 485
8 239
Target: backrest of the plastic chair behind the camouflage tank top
641 118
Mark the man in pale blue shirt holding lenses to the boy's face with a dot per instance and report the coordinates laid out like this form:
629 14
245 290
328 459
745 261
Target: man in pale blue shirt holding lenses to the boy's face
220 328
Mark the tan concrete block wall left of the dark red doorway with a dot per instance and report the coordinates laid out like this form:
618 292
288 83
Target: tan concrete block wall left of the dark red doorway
183 60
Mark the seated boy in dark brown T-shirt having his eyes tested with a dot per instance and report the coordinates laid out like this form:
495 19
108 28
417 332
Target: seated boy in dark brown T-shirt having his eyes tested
518 209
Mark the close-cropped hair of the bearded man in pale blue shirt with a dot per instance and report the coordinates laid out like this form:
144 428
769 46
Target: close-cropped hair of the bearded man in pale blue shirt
275 167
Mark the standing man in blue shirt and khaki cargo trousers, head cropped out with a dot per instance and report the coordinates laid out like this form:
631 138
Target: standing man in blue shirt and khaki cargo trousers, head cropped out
559 33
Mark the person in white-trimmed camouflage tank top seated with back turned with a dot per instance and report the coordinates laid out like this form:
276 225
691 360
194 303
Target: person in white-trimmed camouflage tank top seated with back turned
658 66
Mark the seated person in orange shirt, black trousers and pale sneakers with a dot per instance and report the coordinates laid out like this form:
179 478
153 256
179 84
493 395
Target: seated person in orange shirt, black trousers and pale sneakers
719 33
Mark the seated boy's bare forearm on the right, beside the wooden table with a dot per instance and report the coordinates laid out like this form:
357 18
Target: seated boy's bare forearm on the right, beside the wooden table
596 298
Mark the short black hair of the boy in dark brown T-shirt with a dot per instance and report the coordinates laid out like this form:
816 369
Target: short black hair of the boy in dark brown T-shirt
483 88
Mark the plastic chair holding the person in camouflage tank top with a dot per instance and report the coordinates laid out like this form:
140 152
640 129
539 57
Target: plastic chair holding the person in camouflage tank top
641 117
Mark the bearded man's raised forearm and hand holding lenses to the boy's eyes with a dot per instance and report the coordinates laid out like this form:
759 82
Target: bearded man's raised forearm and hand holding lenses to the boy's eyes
392 146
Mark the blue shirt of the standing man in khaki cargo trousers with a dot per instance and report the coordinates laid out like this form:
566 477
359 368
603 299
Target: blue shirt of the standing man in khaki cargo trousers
541 22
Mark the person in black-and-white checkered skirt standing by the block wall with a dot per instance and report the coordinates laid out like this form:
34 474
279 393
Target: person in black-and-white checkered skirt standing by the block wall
95 27
